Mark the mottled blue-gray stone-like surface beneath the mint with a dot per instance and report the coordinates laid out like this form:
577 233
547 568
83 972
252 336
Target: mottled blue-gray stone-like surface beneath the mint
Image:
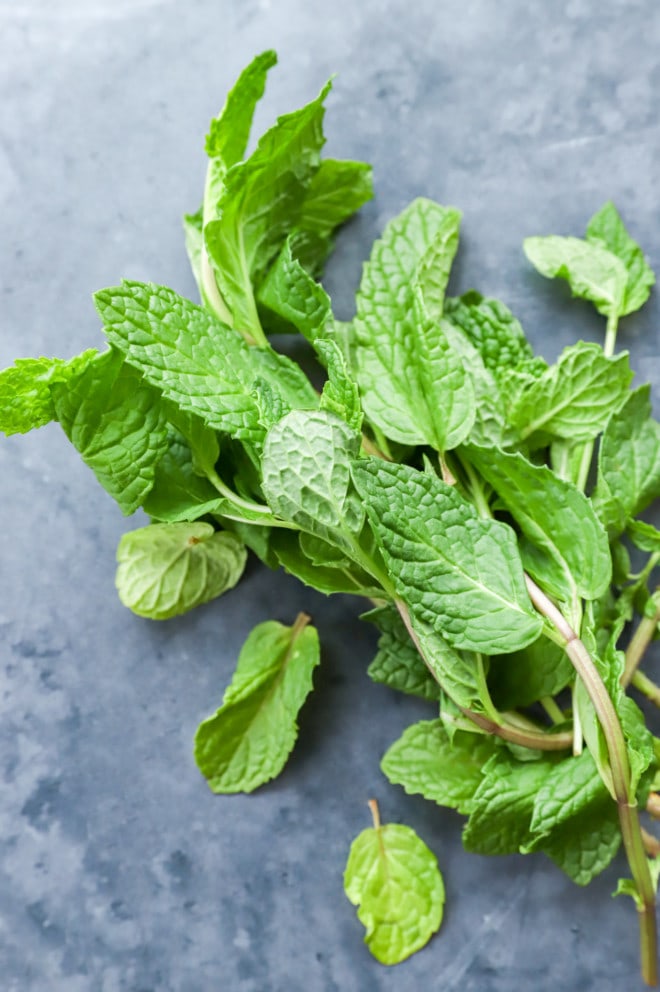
119 871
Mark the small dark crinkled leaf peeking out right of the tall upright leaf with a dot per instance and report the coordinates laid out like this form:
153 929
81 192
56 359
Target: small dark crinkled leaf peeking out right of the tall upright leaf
493 330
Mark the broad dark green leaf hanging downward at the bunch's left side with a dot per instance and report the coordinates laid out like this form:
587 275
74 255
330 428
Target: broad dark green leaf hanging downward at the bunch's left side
117 423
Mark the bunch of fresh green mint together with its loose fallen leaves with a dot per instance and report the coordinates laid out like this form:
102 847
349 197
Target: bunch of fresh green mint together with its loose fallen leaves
483 502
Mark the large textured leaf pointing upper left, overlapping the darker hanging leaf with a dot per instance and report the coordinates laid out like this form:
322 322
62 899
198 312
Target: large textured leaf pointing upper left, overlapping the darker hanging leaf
199 363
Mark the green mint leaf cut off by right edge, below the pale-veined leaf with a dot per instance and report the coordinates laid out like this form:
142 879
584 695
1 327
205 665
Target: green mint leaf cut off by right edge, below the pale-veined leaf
628 462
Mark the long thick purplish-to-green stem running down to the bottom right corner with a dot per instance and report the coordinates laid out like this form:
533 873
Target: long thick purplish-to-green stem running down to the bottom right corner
620 768
